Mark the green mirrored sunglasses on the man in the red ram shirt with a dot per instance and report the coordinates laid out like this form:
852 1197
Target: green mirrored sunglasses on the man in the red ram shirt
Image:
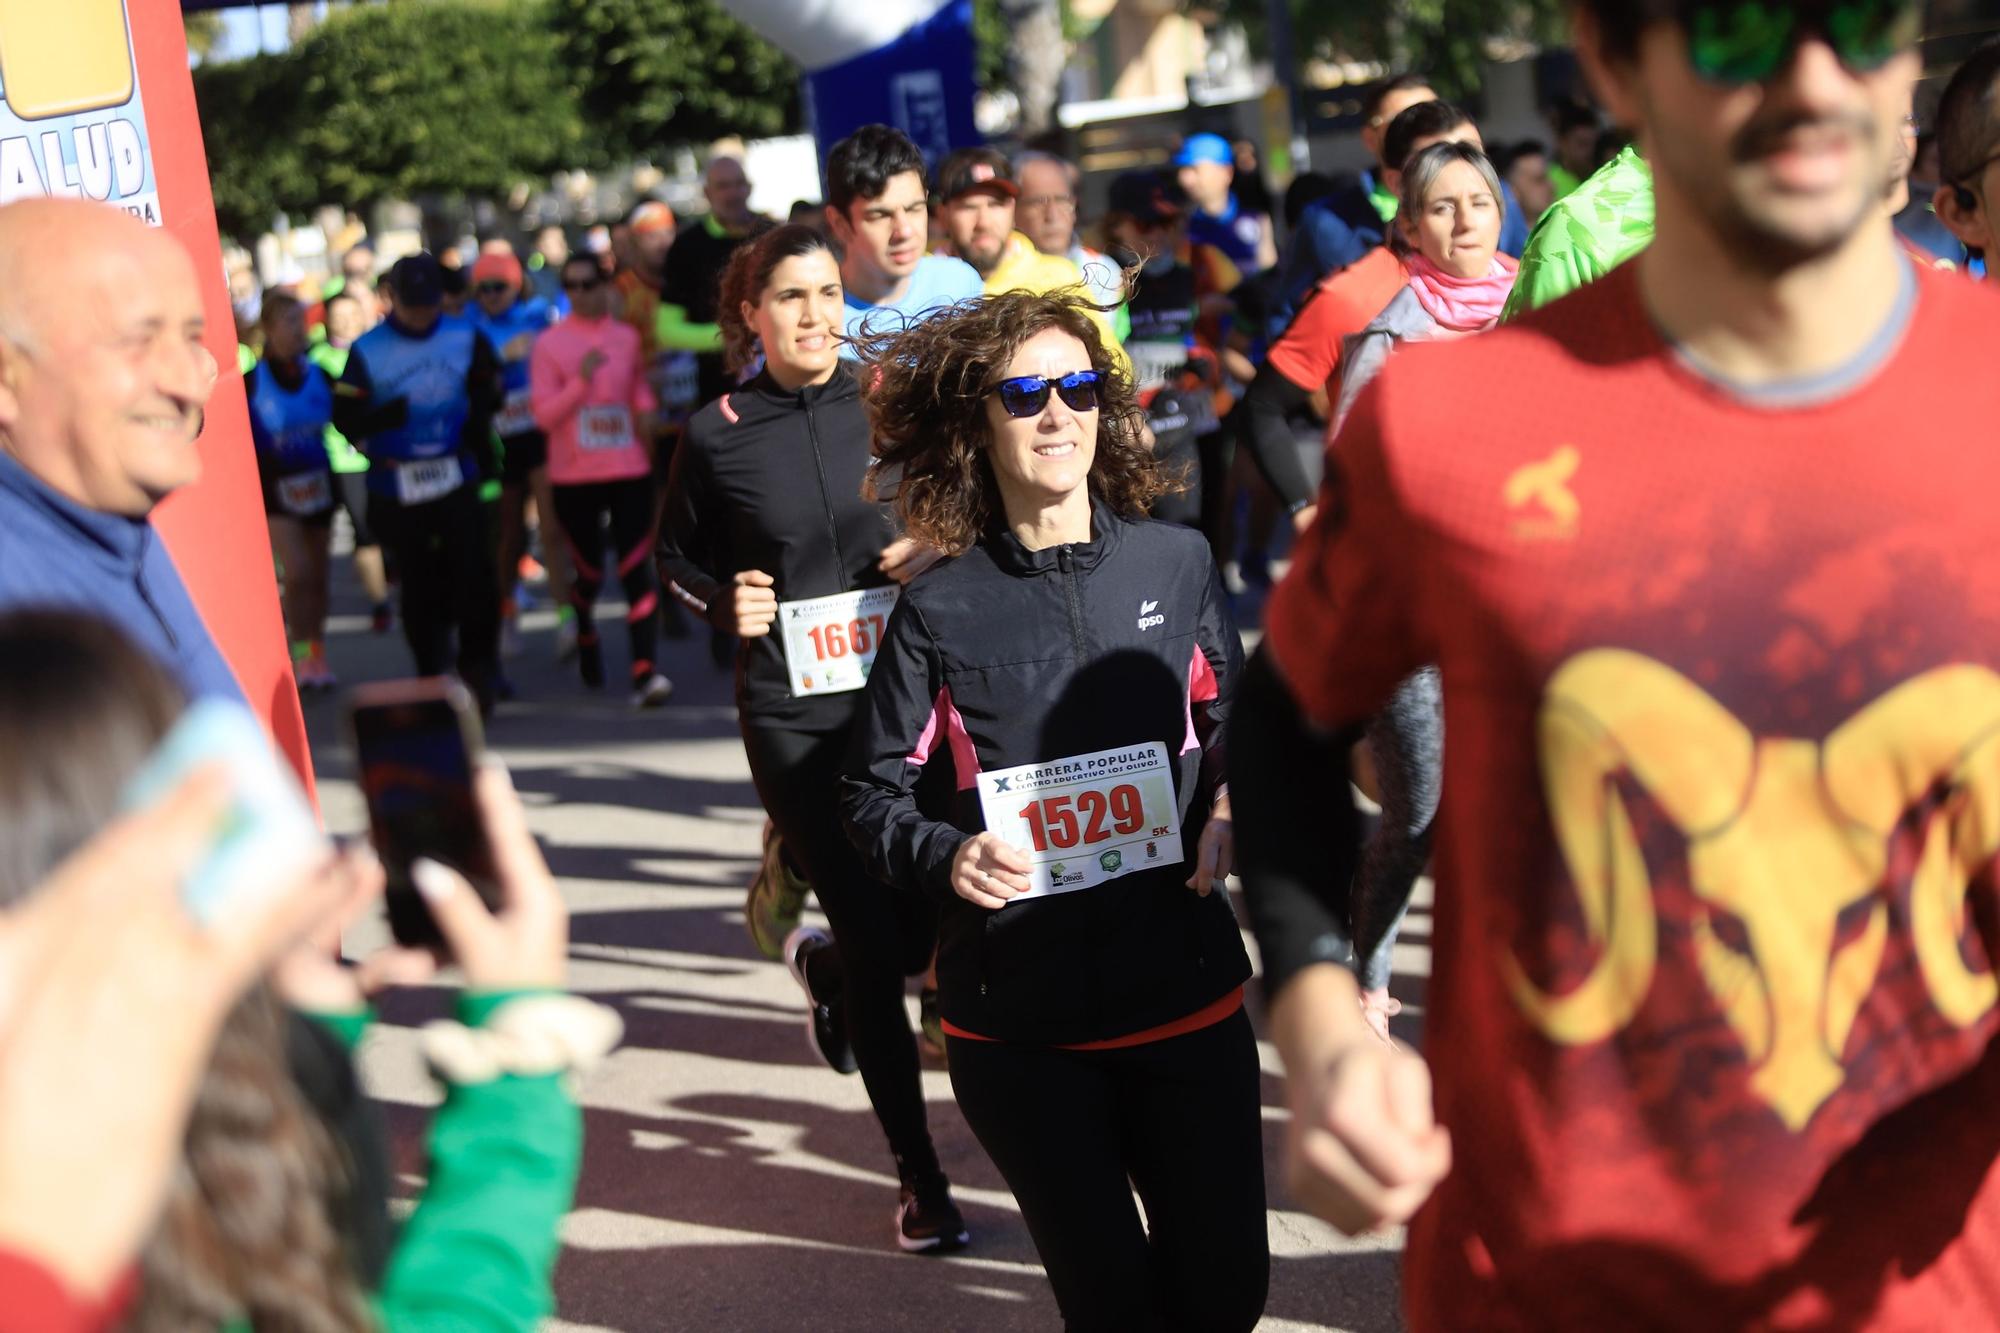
1749 41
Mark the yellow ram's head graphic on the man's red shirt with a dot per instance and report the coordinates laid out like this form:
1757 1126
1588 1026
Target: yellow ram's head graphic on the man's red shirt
1783 836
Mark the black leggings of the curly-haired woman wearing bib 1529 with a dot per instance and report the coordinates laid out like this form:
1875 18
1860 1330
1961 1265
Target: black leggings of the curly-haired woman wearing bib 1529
1077 1132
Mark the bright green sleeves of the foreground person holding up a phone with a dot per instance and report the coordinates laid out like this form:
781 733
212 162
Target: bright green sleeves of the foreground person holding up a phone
479 1254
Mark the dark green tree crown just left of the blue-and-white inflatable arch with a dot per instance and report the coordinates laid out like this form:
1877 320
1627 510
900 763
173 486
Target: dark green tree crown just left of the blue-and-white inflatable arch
659 73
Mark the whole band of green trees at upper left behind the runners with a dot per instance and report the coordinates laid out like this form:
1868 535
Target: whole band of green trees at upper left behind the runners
477 97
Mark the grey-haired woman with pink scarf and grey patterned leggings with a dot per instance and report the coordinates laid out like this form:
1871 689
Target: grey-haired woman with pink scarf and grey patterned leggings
1449 227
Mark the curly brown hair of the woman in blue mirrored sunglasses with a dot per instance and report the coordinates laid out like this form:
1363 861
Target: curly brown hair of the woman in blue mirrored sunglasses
927 393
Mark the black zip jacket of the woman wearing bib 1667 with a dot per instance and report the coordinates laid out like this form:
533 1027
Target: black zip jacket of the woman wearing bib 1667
773 479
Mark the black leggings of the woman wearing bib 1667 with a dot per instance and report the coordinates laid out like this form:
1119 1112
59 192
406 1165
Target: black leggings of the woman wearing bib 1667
883 936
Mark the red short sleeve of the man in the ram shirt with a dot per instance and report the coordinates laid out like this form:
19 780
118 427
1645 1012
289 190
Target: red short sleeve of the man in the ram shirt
1343 625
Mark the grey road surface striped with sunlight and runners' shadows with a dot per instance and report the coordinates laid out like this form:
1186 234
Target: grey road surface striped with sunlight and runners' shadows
733 1182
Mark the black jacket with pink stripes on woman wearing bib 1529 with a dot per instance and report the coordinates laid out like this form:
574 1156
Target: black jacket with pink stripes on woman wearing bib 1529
1009 657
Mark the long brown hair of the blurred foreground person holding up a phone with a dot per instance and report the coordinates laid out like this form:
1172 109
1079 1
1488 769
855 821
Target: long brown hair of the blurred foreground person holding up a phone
249 1228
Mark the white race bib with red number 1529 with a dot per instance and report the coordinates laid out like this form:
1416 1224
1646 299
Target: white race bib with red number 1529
1087 820
